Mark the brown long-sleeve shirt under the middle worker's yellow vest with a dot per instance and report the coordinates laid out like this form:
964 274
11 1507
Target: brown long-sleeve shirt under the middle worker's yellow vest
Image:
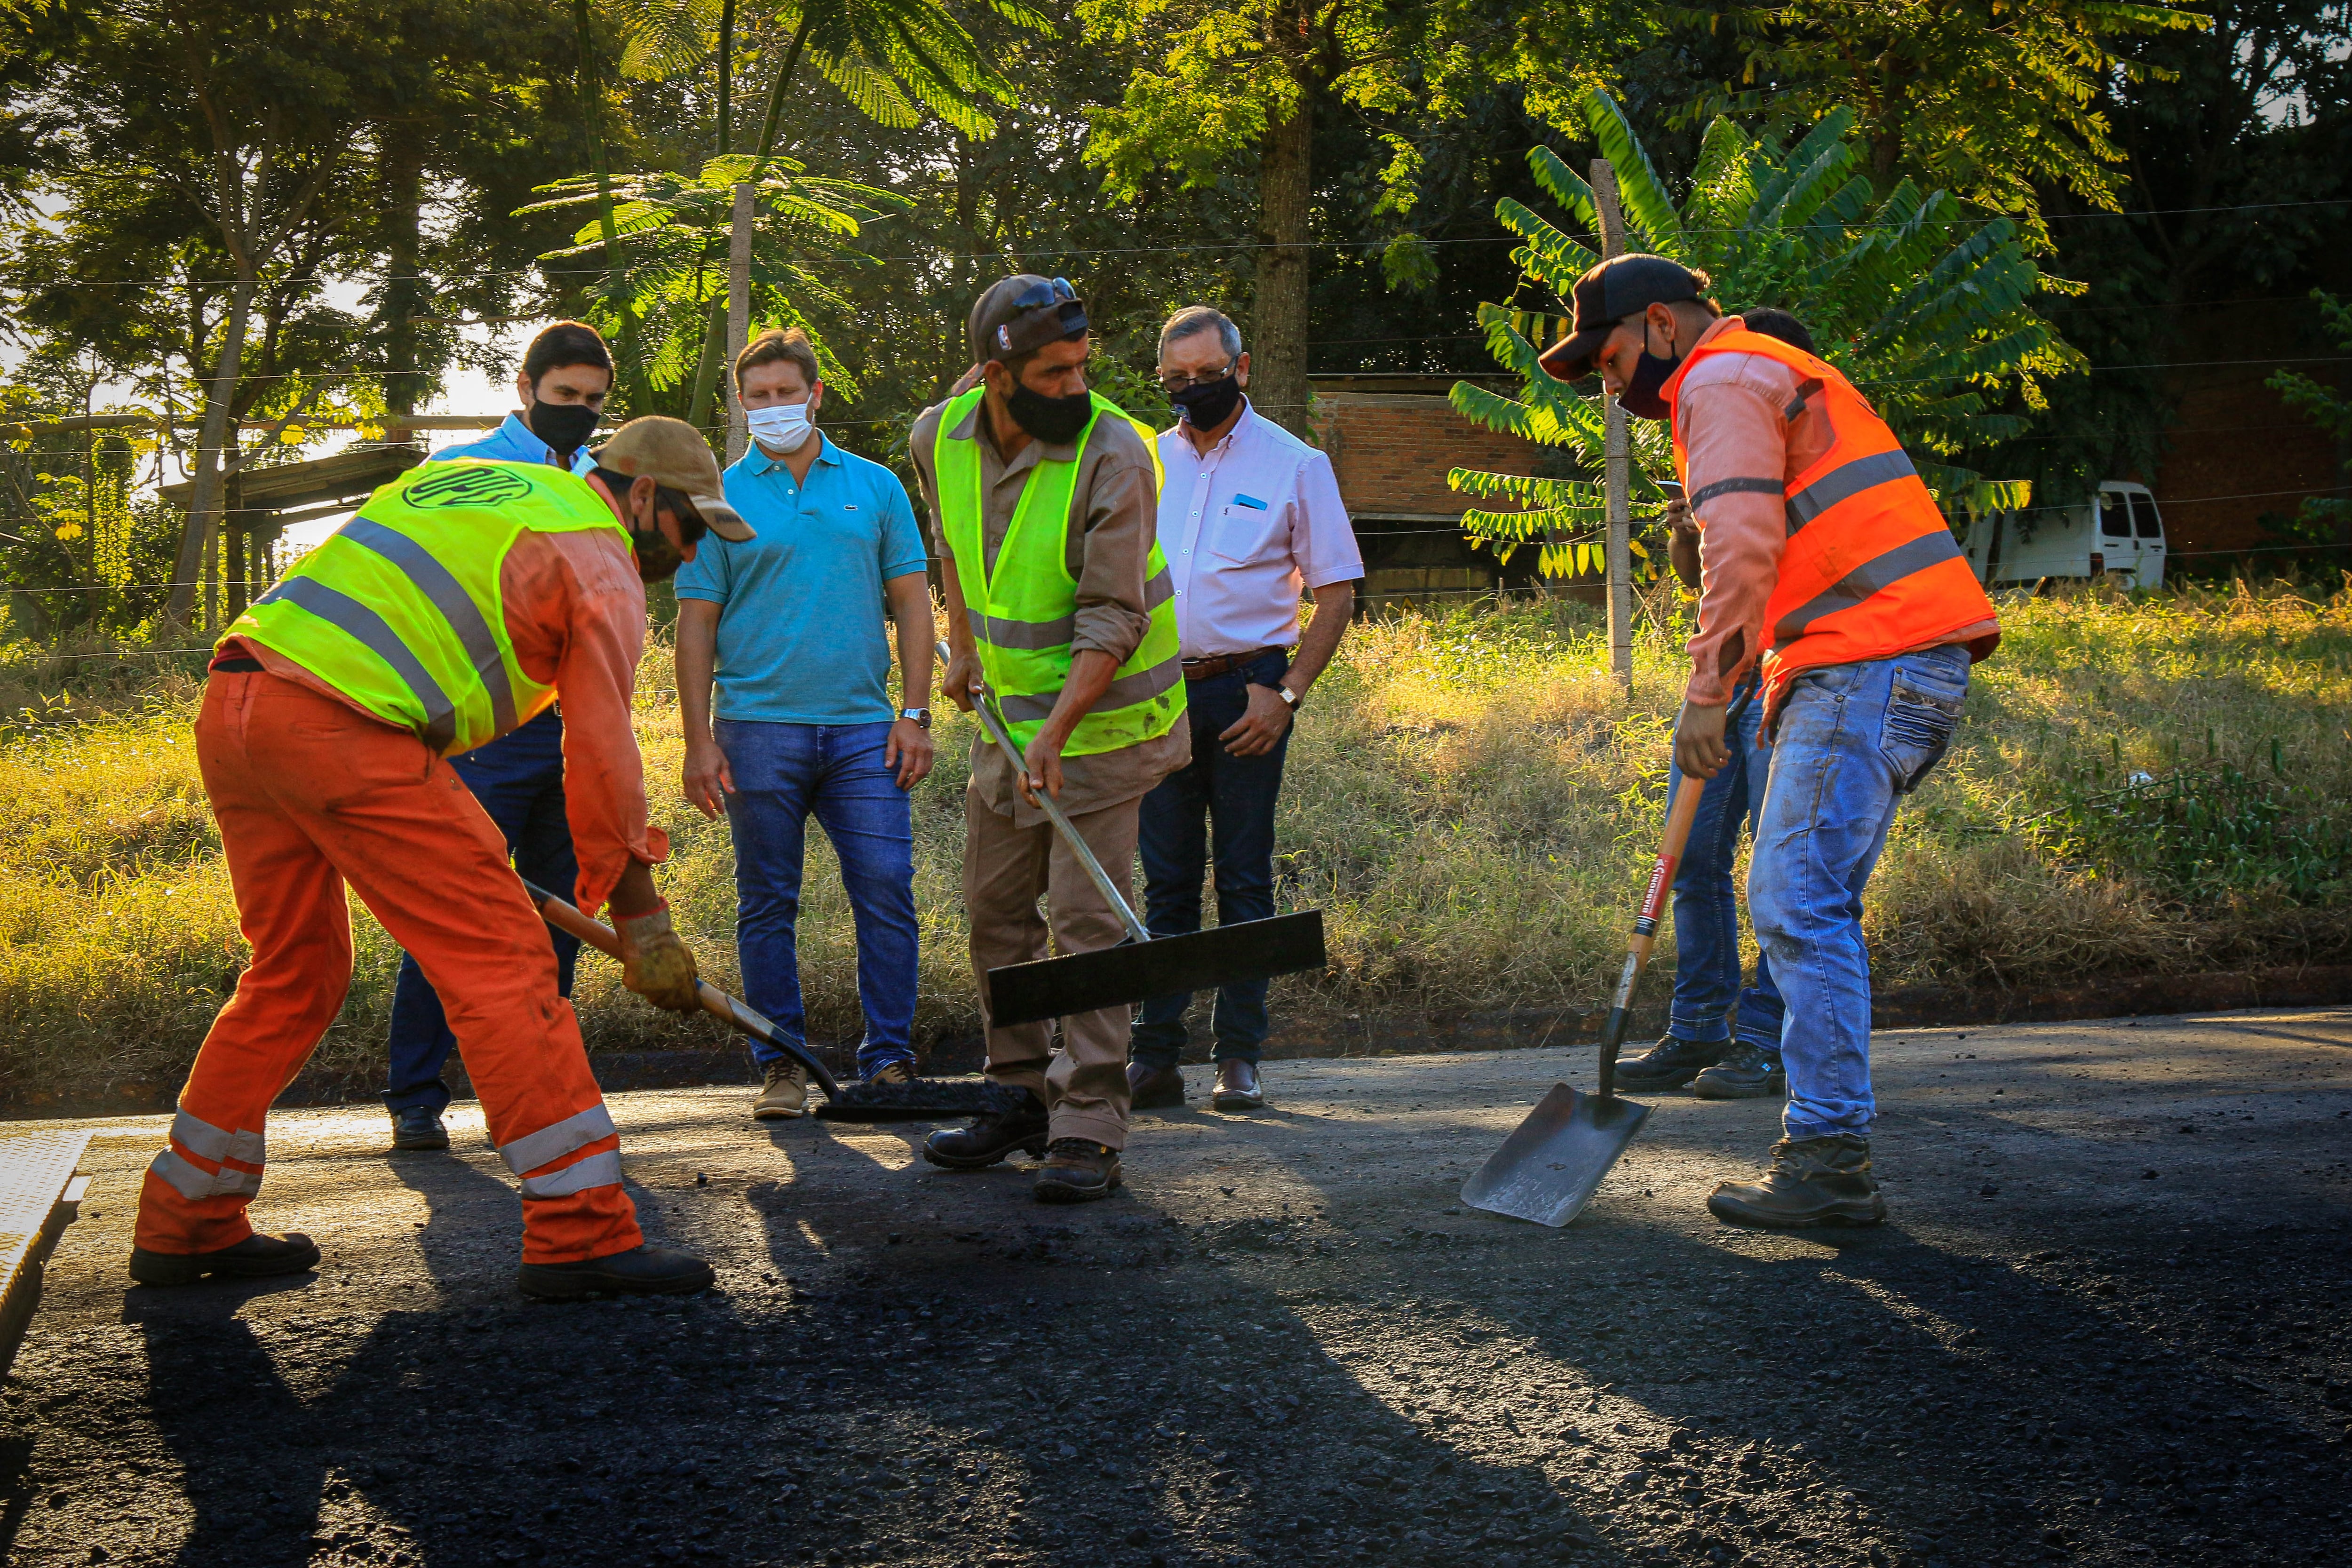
1109 542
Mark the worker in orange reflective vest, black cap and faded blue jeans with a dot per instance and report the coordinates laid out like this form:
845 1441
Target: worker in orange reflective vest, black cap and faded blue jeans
1824 554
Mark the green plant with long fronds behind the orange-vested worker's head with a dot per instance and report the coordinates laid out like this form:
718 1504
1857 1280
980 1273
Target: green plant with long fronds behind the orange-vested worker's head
1925 307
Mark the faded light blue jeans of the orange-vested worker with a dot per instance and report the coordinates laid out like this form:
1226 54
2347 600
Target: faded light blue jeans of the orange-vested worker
1850 744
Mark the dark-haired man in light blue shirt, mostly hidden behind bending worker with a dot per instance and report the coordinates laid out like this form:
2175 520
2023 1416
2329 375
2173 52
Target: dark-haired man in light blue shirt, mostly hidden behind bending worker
519 777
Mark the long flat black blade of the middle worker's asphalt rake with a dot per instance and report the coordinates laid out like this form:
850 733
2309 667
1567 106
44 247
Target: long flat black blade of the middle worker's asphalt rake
1137 972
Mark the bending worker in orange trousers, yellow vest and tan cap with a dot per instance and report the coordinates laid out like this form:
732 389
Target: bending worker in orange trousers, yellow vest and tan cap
453 610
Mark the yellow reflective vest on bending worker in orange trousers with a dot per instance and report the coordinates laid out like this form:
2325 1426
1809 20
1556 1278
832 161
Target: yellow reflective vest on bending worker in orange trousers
401 610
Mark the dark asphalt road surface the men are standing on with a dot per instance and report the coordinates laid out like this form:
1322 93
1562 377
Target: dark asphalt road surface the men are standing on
2106 1325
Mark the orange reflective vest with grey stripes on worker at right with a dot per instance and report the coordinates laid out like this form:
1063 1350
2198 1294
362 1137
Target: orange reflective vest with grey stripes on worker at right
1871 568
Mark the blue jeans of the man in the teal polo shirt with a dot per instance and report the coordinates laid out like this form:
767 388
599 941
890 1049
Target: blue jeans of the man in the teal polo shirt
782 775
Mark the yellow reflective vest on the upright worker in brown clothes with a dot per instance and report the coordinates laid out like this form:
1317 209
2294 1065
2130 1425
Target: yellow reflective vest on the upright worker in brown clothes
1024 615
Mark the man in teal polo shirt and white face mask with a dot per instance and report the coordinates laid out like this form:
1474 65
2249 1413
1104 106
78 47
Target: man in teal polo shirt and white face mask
791 629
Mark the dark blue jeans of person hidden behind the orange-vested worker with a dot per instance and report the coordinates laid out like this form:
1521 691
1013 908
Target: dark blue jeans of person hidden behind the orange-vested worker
1709 913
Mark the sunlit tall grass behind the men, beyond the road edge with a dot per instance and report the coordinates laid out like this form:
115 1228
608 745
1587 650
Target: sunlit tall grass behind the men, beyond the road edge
2139 784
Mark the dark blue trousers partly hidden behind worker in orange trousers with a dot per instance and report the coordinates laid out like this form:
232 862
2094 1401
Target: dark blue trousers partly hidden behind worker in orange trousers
521 784
